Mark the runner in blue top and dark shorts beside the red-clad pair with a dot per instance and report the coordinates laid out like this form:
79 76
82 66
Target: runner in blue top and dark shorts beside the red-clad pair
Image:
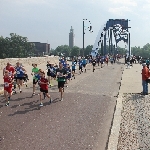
20 71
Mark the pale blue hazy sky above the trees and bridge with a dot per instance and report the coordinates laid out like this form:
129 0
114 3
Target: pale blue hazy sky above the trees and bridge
49 21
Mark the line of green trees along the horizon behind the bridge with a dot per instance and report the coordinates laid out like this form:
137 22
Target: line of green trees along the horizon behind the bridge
18 46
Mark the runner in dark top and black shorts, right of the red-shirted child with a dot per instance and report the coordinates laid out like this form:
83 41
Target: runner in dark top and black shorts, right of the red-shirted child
61 75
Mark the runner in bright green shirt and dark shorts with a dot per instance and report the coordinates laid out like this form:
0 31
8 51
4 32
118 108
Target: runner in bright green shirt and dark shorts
35 74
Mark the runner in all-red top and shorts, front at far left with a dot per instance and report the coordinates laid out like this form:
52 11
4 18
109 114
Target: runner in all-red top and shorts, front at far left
7 86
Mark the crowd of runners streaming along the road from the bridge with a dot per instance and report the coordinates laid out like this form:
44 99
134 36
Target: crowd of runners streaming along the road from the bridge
63 72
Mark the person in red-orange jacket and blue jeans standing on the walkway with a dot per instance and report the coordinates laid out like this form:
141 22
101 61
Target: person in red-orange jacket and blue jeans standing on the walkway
145 76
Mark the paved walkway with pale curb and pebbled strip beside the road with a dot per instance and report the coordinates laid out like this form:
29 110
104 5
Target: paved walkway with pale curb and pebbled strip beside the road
131 124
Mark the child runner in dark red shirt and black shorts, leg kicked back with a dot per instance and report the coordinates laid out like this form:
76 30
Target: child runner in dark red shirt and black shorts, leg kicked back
43 87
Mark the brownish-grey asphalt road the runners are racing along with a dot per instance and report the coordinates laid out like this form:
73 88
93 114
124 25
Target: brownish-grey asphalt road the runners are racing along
81 122
